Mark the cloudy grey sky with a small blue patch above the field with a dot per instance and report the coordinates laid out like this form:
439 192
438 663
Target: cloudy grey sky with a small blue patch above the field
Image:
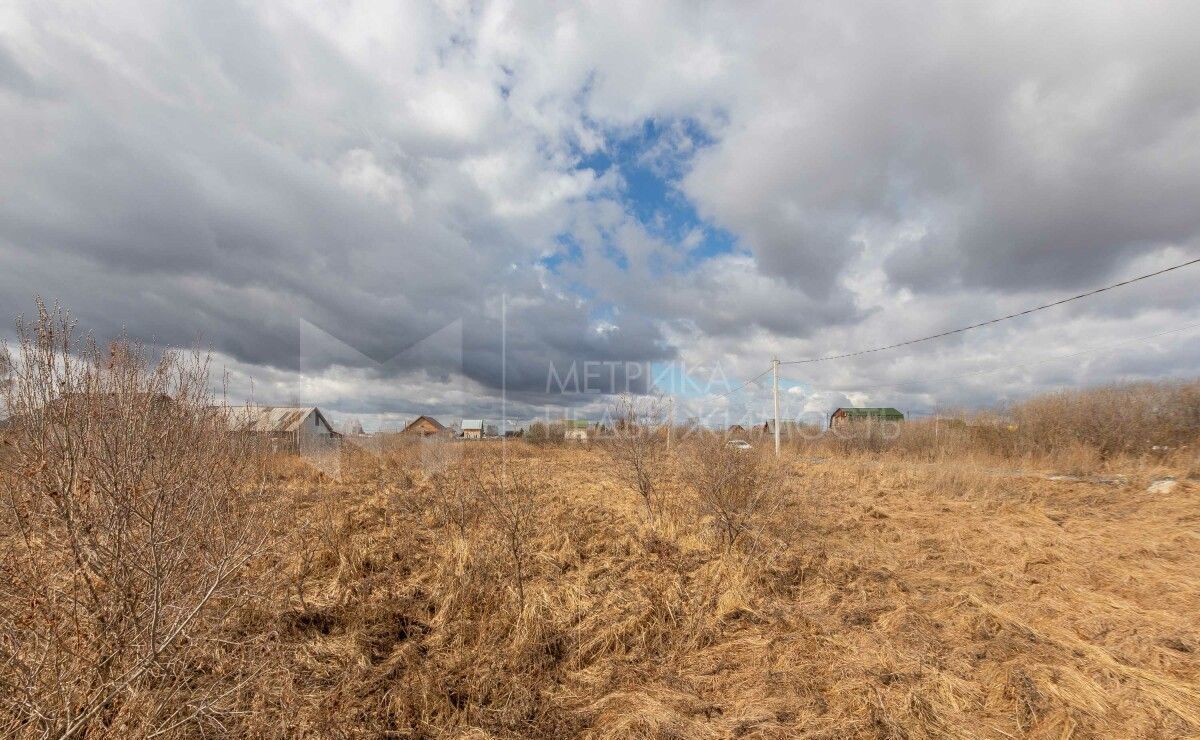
485 209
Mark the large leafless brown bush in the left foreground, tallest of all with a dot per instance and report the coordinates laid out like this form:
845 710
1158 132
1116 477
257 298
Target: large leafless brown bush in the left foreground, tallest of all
127 525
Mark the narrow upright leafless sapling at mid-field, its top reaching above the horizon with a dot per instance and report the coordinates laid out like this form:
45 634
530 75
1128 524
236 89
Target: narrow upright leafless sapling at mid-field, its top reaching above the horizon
639 444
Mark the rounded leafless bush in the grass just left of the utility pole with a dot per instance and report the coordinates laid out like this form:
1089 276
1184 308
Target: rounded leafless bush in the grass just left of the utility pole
737 488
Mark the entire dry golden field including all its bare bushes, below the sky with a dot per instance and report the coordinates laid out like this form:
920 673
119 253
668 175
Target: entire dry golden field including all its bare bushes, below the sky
159 579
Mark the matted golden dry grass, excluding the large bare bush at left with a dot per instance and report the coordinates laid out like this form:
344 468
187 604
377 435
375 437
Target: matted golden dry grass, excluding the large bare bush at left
880 599
